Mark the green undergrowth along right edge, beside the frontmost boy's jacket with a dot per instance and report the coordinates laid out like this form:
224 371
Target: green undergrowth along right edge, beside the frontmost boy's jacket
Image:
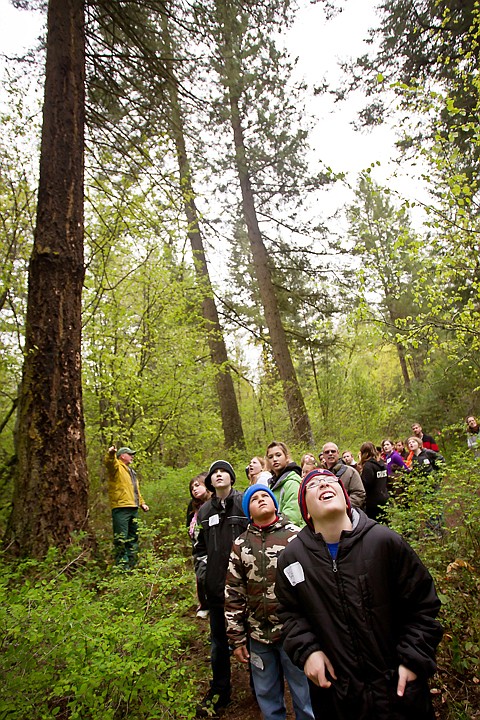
440 517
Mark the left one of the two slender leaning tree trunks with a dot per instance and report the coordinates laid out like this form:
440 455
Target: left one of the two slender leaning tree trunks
230 414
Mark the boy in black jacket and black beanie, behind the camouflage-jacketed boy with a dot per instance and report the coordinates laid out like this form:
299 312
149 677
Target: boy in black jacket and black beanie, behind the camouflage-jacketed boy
221 520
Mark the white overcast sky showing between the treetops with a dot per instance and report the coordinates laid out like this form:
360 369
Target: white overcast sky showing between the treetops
319 46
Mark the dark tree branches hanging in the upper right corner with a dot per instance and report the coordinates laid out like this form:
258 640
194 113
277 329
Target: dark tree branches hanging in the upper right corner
423 49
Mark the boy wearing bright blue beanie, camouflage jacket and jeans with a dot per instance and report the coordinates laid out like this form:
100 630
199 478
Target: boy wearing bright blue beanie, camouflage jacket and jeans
251 606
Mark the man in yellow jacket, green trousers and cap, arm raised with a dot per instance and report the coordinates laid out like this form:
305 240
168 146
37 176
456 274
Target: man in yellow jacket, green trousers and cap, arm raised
125 499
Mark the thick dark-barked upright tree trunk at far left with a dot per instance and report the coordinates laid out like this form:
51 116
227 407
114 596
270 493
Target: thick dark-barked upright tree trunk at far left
51 484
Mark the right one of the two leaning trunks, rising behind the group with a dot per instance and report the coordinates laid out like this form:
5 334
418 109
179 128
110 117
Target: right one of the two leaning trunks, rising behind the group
291 389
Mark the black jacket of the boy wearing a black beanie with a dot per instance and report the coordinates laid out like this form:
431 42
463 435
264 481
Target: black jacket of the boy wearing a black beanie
219 525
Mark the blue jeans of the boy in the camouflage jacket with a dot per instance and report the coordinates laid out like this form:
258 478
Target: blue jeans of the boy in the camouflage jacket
268 680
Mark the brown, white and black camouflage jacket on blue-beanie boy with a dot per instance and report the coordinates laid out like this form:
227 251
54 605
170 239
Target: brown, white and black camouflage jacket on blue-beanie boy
250 602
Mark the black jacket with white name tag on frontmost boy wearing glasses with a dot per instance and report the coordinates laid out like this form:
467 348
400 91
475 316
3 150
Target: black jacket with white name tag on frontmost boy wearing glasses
369 611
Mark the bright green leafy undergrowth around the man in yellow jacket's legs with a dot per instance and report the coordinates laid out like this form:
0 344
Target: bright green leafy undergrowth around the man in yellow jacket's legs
81 640
